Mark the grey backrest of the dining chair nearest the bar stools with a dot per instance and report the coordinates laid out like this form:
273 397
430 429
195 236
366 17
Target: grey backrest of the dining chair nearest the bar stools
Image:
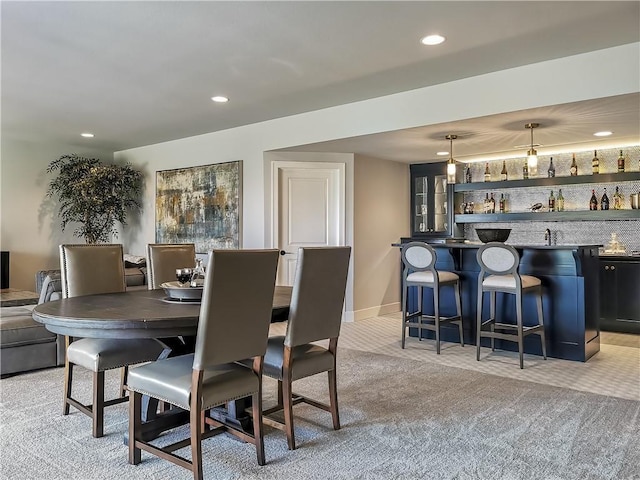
317 297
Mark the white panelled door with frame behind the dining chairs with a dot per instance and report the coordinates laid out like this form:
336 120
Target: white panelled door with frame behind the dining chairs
308 210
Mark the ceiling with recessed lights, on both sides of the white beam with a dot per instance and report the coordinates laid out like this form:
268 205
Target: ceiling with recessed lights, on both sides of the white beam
139 73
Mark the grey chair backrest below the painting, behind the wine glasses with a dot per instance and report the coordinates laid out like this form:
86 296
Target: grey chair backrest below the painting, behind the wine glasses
164 258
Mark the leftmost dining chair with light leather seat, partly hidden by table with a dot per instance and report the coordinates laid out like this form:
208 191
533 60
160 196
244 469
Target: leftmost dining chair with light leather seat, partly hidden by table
87 270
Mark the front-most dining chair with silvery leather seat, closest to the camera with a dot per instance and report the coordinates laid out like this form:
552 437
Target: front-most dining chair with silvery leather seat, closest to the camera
234 321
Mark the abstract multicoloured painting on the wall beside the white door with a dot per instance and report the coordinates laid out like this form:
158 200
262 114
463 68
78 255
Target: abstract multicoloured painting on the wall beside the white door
200 205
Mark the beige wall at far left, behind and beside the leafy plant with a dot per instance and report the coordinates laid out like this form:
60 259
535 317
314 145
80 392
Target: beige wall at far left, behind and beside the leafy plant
30 229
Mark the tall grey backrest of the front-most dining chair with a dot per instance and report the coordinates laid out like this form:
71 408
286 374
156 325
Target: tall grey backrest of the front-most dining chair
237 301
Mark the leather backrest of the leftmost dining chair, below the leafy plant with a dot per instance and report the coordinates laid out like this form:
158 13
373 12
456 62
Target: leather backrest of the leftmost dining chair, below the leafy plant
91 269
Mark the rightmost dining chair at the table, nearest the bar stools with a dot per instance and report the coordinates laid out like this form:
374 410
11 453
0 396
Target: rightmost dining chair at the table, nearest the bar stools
317 301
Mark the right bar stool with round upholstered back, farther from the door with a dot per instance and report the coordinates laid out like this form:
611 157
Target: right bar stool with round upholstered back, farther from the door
501 263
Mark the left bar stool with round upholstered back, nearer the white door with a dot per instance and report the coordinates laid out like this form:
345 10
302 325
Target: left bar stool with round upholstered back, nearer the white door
419 261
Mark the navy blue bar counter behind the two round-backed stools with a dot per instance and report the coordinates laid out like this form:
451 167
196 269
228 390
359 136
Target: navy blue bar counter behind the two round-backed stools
570 302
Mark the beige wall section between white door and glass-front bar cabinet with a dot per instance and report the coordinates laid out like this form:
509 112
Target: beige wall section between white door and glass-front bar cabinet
381 194
